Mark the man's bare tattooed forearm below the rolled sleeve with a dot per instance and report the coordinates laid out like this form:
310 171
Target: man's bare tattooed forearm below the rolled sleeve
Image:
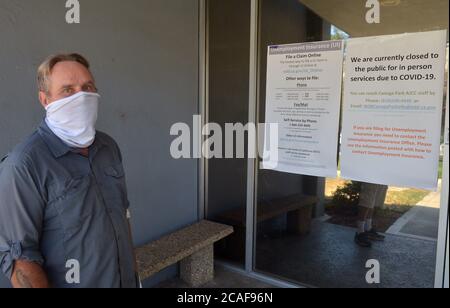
29 275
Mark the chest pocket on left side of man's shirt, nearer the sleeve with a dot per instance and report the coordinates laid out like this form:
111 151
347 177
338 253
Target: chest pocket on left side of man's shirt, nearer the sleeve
73 202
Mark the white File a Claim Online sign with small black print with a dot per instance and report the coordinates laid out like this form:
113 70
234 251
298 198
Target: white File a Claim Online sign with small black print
303 98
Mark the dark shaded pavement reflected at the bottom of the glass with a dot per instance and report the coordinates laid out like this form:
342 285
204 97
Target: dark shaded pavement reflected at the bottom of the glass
329 258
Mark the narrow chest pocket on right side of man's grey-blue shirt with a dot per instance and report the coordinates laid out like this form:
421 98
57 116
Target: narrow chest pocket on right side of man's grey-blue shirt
114 188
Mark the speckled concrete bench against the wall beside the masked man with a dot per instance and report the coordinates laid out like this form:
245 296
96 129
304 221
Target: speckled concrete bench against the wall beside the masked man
193 247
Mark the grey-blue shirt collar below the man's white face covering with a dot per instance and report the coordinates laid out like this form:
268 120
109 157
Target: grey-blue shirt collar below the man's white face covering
58 147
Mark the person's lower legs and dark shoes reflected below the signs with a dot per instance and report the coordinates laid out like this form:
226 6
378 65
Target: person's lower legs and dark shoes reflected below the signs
370 196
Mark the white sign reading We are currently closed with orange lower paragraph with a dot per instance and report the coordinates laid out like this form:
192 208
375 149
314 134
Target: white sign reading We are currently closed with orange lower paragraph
392 114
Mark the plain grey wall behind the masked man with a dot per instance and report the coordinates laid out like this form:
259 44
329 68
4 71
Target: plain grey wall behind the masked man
144 55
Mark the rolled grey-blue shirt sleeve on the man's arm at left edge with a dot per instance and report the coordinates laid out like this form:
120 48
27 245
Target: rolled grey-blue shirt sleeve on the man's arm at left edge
21 216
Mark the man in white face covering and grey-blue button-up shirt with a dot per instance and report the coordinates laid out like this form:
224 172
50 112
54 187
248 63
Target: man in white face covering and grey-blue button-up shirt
63 198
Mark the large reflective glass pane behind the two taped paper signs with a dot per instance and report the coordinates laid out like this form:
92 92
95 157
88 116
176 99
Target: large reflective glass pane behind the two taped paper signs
304 233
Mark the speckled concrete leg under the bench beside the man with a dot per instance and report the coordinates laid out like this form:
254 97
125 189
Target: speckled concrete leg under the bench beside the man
198 269
